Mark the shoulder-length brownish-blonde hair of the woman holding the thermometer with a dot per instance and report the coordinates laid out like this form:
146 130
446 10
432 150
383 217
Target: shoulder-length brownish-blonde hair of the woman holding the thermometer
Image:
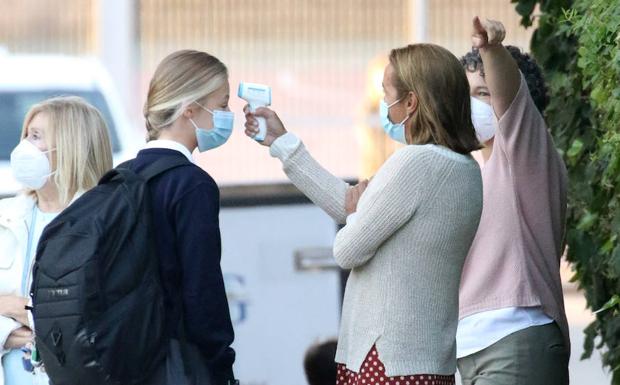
438 80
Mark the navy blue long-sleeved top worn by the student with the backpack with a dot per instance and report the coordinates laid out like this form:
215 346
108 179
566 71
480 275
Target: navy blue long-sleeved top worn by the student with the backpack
186 203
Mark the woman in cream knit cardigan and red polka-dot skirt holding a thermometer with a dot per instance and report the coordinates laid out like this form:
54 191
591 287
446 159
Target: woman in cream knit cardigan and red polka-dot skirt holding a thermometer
407 235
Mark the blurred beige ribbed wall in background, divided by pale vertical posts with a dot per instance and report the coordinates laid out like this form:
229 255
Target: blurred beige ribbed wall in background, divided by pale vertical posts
317 55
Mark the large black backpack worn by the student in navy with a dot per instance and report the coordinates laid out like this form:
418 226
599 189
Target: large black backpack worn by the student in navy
97 297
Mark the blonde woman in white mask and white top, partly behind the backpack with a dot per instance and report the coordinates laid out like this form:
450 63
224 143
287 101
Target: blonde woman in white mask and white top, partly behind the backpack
64 150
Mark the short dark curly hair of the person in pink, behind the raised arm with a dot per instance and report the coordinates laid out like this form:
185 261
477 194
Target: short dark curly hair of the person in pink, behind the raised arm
527 65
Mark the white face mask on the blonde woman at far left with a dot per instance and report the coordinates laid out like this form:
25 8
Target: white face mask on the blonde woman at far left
30 166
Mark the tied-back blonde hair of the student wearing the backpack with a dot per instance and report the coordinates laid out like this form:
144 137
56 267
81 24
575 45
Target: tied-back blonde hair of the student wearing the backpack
180 79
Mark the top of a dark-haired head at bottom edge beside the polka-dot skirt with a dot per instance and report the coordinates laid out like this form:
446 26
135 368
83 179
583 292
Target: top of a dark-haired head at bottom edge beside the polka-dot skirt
320 363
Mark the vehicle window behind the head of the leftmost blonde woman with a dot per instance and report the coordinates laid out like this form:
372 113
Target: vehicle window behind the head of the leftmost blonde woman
15 104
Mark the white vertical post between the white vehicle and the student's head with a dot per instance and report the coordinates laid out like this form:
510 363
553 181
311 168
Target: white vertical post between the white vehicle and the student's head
117 48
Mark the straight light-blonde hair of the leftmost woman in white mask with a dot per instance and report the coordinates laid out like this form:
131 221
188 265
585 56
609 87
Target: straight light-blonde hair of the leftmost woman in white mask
80 136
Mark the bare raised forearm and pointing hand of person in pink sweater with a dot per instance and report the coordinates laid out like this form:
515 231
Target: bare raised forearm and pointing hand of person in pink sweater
500 70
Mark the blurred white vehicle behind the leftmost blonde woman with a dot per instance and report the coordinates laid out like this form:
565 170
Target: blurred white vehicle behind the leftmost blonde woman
28 79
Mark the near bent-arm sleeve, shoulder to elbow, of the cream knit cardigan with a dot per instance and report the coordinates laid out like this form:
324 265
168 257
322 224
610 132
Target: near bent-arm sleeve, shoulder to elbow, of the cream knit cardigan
388 203
